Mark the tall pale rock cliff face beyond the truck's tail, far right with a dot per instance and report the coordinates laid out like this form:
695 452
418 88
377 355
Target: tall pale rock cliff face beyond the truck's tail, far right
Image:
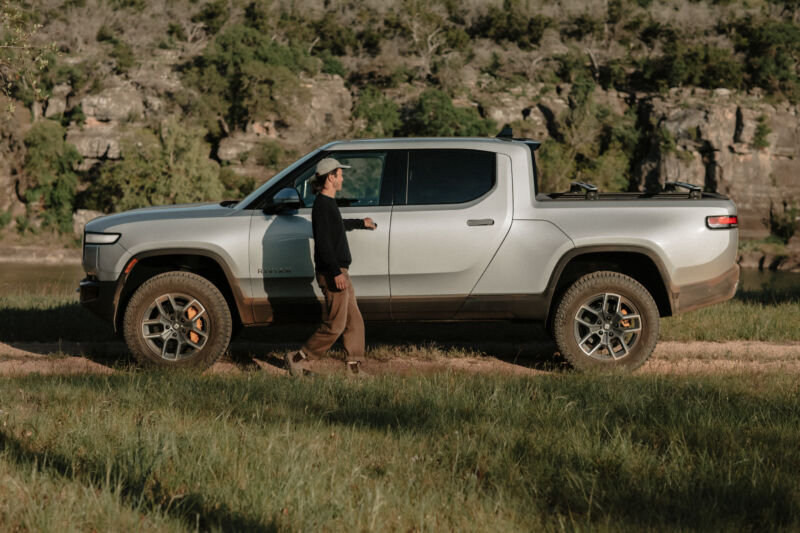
737 145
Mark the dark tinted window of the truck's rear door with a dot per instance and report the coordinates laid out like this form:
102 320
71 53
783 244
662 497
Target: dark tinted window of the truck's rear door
449 176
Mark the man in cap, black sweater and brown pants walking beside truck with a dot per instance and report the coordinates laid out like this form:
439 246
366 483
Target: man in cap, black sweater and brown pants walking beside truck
341 316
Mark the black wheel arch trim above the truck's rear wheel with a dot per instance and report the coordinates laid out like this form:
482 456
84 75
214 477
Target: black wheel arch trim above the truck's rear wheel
641 264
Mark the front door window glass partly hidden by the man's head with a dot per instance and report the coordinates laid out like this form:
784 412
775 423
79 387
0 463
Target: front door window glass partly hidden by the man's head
362 181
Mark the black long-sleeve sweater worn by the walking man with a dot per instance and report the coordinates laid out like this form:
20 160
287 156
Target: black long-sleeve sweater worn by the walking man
331 251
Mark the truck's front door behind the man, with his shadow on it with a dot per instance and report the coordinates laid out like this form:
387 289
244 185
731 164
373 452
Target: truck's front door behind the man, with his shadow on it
282 246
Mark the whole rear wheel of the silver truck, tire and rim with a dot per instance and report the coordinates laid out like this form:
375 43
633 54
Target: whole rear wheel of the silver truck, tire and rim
606 321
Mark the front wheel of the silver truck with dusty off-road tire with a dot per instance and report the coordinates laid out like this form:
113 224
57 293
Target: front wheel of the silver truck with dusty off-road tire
182 286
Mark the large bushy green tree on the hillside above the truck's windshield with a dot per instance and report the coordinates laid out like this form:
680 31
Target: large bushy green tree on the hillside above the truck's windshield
244 75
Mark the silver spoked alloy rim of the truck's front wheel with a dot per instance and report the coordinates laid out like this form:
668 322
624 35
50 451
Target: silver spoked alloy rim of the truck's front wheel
175 326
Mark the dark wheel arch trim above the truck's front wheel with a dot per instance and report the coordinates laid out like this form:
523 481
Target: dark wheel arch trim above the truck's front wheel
210 266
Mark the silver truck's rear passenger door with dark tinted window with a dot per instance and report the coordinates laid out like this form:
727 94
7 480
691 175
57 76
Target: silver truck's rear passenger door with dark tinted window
449 217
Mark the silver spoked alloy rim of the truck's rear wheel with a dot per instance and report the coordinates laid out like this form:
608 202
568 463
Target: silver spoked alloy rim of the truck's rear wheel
607 326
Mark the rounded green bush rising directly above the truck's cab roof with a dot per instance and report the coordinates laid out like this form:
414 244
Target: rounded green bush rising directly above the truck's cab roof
434 115
